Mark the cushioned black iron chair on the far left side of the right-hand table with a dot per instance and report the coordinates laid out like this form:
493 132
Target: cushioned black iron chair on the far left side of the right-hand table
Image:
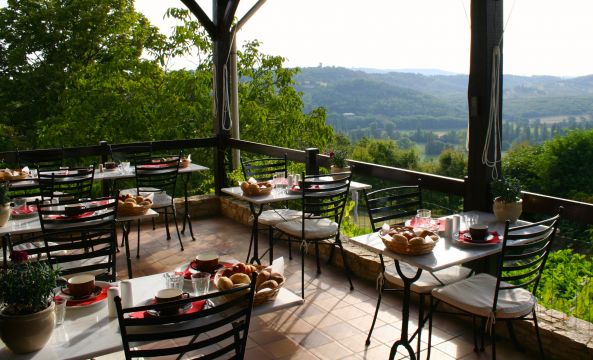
394 205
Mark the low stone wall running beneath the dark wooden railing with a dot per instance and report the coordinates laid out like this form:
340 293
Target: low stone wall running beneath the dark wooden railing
563 337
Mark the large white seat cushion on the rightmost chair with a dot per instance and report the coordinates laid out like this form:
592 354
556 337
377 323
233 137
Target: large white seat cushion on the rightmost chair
476 296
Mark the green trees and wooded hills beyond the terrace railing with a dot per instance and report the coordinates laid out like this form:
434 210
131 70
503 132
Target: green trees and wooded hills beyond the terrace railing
75 73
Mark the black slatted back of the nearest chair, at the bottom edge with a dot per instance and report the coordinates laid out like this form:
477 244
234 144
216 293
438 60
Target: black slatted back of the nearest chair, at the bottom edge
215 332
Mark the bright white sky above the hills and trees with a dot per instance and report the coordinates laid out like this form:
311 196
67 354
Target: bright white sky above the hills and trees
542 37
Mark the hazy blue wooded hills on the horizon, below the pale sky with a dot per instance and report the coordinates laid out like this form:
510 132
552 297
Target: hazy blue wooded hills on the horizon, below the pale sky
365 96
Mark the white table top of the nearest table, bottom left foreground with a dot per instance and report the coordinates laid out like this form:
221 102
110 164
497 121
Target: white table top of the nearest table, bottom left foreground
88 332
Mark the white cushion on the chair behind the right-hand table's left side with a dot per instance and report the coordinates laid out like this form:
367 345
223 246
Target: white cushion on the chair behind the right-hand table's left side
427 281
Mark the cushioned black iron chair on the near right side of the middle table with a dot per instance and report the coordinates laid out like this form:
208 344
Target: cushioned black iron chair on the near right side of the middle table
322 208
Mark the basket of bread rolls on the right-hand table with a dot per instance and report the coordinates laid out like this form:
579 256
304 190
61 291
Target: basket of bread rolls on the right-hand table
407 240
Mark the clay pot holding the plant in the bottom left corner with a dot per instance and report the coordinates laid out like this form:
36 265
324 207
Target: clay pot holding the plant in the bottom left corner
27 333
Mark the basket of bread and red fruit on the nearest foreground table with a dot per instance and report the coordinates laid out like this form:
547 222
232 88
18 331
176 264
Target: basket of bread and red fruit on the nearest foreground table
264 290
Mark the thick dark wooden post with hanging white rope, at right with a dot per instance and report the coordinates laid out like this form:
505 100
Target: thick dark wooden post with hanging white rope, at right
486 34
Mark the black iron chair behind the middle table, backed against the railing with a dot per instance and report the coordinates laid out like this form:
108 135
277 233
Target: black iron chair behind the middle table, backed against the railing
263 170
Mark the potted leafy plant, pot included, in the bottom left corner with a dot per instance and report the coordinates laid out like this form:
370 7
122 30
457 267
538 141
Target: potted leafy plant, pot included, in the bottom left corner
27 316
